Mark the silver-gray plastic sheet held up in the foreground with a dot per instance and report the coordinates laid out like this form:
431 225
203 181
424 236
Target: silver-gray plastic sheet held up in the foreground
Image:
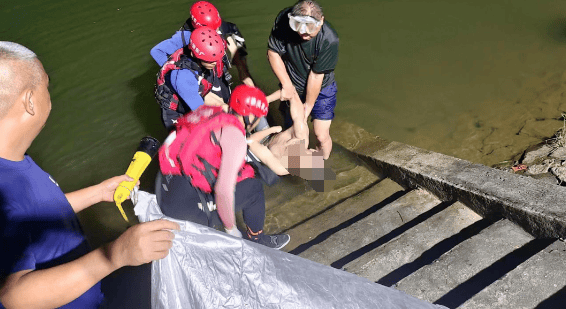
209 269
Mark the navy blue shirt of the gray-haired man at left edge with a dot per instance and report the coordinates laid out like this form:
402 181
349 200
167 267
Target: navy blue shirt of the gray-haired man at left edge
38 225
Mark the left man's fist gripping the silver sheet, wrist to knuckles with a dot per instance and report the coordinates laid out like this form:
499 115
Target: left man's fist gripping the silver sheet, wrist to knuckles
142 243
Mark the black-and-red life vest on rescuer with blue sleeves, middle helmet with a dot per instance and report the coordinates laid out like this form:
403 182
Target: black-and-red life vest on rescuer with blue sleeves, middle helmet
164 93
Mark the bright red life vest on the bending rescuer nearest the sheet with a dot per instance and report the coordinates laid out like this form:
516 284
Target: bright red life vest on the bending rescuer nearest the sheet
192 150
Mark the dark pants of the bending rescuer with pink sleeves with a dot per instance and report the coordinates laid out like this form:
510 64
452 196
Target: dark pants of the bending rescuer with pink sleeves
178 199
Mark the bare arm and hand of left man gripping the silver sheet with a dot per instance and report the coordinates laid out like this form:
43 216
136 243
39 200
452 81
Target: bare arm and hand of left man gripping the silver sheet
59 285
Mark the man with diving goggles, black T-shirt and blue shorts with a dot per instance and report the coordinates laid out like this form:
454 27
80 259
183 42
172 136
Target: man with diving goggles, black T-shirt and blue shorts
303 52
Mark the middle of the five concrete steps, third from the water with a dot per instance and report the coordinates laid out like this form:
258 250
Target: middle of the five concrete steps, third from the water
381 258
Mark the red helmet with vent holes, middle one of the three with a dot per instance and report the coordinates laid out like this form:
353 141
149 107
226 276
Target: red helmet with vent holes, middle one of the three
206 44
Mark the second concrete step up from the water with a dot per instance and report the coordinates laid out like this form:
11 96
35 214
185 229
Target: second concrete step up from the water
388 215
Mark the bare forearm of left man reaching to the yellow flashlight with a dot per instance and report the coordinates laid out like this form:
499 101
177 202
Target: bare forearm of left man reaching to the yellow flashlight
103 192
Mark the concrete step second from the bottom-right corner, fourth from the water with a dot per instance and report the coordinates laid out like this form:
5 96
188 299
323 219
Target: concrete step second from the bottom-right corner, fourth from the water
465 261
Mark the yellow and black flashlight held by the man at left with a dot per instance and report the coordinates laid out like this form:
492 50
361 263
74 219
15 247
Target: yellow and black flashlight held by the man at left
146 151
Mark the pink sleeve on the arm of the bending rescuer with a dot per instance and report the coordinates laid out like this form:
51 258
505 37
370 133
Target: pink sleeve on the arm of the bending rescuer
233 144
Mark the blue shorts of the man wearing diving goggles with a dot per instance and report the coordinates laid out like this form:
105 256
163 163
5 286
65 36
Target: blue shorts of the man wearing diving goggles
323 108
